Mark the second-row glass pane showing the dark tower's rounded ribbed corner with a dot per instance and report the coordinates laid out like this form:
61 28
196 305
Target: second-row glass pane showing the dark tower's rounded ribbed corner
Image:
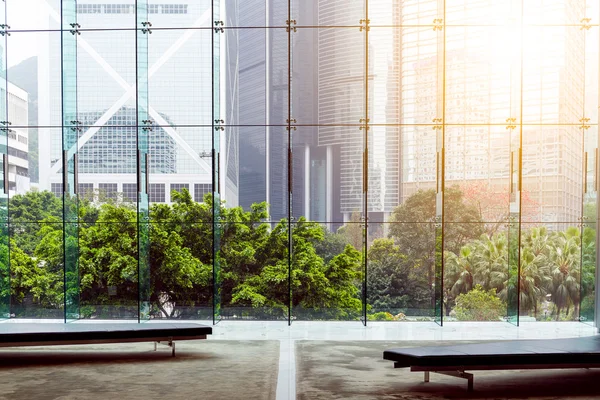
328 85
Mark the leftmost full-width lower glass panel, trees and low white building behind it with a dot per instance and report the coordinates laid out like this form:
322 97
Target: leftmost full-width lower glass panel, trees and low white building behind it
36 227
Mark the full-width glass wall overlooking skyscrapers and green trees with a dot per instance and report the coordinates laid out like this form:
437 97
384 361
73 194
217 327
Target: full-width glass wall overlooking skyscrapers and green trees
299 160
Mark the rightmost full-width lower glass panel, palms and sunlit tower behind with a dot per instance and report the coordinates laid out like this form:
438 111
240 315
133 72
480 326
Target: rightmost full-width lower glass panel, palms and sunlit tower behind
552 199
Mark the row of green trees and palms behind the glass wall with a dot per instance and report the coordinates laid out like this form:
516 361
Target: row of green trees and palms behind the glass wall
322 270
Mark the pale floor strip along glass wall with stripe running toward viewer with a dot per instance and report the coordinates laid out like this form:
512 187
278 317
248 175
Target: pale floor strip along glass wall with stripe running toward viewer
352 331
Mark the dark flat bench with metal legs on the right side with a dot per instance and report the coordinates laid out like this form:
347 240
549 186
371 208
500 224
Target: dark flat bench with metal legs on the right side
583 352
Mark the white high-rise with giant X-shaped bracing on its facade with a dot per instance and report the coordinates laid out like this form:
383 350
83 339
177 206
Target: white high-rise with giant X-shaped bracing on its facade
179 85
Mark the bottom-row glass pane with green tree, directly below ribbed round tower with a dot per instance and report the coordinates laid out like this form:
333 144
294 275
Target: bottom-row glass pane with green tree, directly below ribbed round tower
327 271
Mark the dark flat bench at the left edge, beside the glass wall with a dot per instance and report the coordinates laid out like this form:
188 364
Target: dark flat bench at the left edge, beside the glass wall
51 334
